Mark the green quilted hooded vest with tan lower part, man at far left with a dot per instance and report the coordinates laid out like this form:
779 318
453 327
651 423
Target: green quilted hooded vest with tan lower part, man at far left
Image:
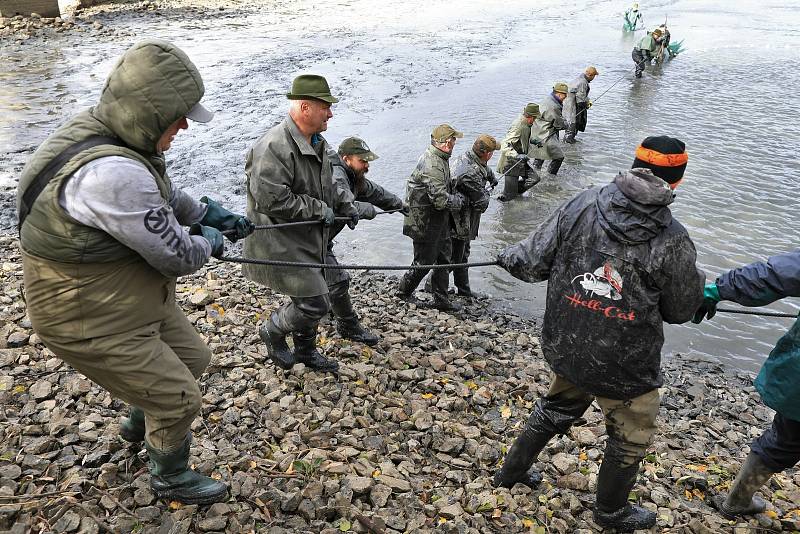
80 282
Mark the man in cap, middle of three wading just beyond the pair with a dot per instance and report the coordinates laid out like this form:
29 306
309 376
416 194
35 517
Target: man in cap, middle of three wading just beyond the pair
546 127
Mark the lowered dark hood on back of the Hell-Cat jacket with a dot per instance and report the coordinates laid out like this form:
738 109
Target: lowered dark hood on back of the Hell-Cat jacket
633 209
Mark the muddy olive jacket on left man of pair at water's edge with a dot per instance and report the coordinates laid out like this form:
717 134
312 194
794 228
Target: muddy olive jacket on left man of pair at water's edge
430 193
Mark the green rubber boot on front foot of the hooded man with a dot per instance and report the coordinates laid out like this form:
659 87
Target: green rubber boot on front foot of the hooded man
172 480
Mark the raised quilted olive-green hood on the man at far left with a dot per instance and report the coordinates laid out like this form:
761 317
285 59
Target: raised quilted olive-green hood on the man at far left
151 86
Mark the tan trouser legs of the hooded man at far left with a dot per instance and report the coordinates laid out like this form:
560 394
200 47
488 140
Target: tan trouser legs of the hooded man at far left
154 367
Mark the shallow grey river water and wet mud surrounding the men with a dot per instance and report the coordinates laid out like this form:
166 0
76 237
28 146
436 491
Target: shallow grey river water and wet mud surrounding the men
401 67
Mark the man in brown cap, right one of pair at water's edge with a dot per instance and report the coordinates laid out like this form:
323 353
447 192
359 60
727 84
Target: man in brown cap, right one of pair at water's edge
471 175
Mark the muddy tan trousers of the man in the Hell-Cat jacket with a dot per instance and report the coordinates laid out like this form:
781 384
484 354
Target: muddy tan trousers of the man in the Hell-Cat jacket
630 424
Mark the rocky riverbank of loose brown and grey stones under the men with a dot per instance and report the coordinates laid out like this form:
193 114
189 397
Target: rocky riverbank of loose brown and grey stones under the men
405 439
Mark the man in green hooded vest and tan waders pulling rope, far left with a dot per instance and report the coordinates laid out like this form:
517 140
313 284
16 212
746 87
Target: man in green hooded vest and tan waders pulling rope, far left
102 243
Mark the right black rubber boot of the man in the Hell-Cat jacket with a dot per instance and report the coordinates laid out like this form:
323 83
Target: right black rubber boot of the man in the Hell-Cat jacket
612 509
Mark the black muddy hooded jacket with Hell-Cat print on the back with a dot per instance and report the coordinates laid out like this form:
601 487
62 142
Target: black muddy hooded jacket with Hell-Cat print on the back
618 265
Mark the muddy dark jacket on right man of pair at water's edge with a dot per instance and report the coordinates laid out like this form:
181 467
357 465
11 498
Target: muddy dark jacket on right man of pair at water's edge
470 175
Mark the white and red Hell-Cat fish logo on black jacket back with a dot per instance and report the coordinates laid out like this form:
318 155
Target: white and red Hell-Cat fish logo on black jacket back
603 283
